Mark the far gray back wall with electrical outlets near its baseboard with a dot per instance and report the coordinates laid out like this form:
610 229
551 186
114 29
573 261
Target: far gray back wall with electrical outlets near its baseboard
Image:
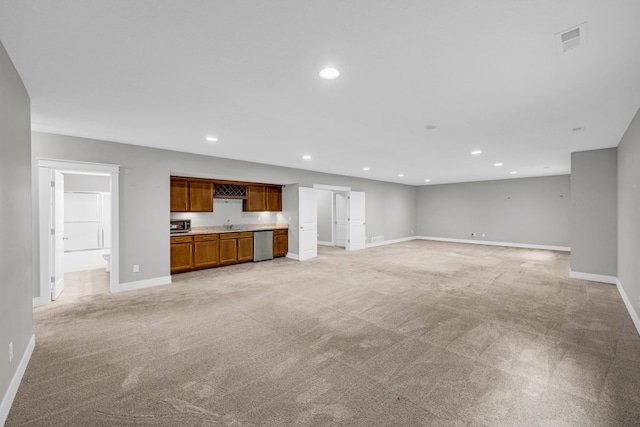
532 211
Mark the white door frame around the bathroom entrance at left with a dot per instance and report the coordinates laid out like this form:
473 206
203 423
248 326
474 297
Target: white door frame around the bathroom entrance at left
46 167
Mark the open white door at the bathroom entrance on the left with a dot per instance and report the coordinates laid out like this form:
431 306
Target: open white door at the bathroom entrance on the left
57 222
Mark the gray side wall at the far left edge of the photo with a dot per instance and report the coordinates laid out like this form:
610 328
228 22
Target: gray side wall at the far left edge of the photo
15 209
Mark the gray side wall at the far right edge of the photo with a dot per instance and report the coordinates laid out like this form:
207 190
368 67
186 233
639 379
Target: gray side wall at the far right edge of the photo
629 212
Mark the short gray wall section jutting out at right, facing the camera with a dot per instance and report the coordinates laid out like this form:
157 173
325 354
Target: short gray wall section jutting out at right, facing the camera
594 210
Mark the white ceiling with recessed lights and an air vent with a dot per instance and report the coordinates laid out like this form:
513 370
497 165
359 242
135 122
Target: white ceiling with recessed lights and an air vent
486 73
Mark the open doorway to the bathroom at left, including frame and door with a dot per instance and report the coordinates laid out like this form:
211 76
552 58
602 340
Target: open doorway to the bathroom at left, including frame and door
78 210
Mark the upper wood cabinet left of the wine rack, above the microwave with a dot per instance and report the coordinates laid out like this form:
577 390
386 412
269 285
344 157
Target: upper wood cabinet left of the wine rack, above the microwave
191 195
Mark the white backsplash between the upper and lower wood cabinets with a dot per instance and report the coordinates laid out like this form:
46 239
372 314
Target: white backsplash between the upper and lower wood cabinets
230 209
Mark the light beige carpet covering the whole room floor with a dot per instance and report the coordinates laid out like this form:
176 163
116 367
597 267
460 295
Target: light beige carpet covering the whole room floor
411 334
